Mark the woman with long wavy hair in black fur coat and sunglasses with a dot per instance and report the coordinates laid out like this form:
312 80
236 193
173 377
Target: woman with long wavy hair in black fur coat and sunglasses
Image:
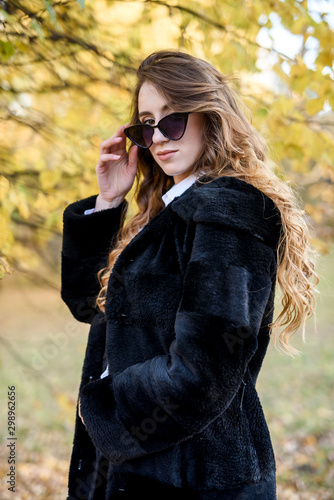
182 310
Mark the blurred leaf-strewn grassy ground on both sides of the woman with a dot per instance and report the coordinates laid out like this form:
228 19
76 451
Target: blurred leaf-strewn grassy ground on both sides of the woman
42 356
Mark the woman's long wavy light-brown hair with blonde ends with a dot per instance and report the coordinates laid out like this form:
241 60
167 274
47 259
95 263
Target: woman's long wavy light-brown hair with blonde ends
232 148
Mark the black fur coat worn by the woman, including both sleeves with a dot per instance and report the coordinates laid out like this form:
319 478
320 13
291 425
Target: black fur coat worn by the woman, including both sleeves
185 333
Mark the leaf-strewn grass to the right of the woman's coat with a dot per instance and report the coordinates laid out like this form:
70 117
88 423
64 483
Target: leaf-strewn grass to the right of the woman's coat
297 397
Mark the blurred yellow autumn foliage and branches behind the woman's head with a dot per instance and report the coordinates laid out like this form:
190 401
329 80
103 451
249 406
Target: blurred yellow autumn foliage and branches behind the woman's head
67 69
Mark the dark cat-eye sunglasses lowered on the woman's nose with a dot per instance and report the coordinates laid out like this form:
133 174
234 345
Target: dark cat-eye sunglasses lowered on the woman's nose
171 126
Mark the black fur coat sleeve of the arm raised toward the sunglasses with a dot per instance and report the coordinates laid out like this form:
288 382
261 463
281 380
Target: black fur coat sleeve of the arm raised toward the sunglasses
87 242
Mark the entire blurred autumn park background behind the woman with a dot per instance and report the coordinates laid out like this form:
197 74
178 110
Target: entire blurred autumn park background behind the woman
66 72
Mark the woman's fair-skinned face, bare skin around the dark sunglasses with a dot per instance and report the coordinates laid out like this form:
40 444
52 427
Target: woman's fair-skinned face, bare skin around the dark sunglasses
180 156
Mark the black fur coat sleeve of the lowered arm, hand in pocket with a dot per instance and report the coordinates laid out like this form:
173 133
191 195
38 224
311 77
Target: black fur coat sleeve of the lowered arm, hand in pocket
227 284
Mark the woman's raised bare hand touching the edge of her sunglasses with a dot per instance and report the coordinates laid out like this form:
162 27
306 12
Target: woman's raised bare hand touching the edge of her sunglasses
115 170
